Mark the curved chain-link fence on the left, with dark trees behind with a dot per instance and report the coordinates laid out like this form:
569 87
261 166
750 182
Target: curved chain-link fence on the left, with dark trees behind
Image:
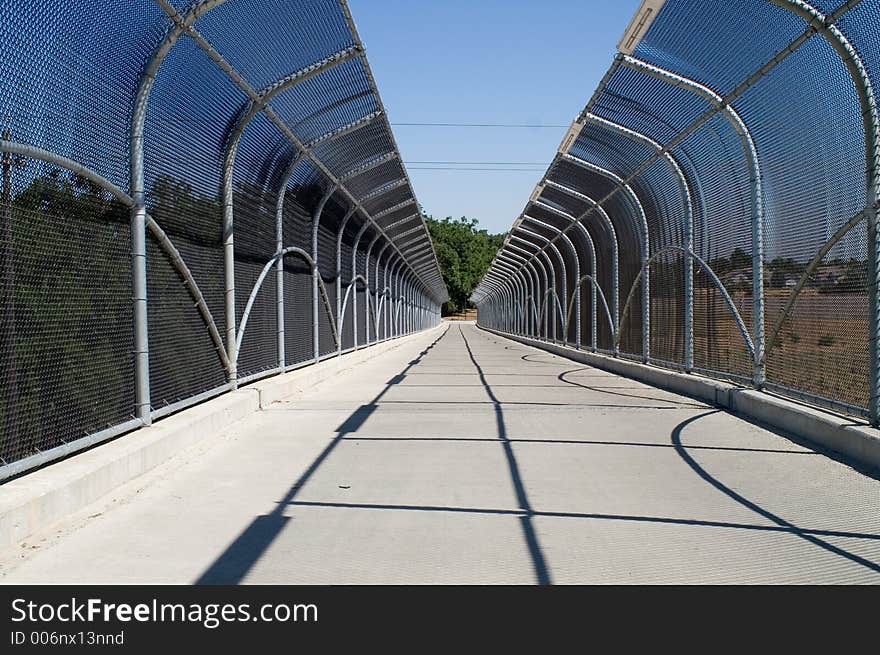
195 194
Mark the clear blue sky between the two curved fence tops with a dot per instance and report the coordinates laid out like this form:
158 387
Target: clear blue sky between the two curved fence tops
486 61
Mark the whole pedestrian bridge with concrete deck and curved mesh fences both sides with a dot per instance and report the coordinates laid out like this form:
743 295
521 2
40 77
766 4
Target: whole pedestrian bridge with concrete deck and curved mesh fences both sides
222 357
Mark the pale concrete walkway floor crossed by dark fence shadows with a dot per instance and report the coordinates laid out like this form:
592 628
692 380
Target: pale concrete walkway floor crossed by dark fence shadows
461 457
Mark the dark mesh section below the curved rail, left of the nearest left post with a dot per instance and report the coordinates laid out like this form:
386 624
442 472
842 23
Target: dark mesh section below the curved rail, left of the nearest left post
65 324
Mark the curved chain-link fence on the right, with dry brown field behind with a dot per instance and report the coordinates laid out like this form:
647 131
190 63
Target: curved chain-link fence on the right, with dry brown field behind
720 191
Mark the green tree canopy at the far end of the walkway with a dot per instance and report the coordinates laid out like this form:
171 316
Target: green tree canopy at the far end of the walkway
464 252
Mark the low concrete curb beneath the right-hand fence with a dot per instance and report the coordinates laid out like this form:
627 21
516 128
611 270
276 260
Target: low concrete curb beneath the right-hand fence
856 441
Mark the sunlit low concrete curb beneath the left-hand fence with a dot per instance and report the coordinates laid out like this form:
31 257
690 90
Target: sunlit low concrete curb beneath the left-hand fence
38 499
